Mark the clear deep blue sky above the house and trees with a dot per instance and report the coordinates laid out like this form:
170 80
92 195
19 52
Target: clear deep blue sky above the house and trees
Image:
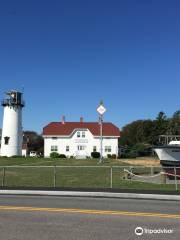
68 55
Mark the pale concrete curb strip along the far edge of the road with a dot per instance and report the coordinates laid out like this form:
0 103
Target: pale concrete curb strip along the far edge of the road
92 194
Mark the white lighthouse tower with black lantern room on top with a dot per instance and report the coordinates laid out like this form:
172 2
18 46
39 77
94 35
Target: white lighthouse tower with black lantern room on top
12 135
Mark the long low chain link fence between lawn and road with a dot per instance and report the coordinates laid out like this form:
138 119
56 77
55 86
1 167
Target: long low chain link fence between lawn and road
119 177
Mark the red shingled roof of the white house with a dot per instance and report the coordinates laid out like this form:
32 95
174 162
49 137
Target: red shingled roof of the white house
66 129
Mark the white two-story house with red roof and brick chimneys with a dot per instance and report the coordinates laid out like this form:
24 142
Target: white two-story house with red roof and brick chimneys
79 139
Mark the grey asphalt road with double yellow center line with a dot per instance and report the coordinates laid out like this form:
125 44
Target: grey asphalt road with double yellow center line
66 218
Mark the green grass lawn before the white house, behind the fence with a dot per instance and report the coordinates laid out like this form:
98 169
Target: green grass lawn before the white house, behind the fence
17 174
